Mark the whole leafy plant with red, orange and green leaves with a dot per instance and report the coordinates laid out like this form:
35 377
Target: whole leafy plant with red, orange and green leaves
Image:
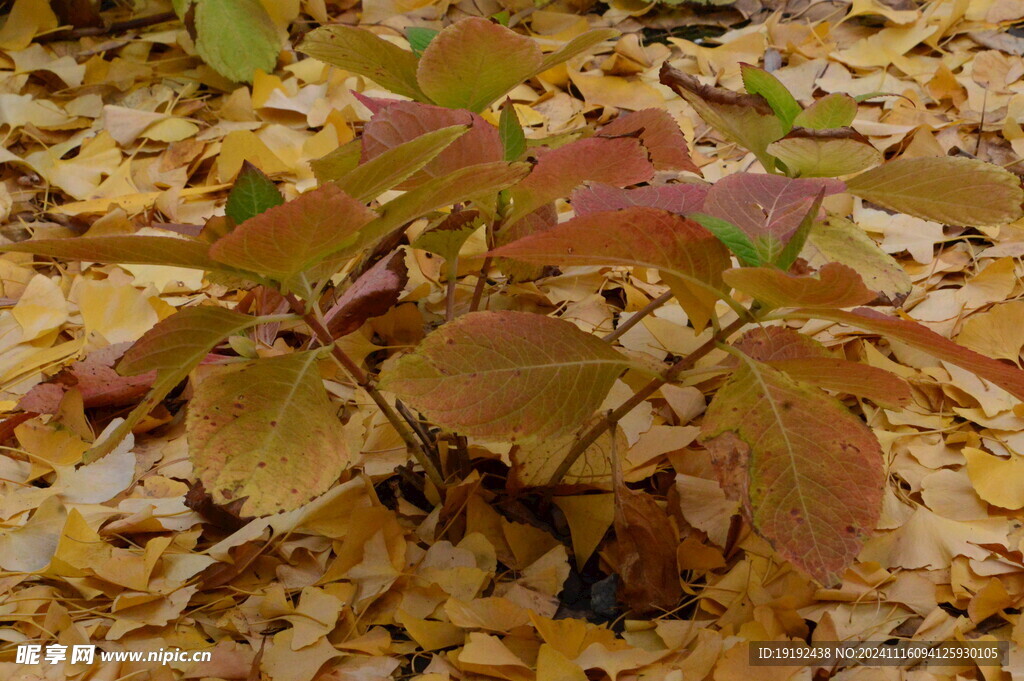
808 472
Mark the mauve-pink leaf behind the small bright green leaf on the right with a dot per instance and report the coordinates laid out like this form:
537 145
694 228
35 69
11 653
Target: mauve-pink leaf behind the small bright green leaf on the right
765 205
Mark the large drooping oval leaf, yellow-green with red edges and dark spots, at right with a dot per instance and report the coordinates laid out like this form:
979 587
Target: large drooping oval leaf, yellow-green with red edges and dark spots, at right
808 474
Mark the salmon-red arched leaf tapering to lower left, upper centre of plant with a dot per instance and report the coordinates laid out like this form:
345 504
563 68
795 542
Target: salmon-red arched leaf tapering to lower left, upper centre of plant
619 162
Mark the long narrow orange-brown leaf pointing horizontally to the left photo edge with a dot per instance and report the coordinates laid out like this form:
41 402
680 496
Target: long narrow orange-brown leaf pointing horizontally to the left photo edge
129 250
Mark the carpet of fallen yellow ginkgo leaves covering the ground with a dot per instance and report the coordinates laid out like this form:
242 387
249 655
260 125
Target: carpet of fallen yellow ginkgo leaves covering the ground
126 134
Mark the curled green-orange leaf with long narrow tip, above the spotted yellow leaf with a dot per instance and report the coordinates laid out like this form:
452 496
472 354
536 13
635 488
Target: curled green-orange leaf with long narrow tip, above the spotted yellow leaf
173 349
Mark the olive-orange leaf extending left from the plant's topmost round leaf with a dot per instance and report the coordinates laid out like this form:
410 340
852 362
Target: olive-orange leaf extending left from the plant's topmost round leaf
367 55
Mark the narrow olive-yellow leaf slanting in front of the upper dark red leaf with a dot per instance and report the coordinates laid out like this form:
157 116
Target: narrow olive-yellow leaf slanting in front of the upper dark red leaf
391 168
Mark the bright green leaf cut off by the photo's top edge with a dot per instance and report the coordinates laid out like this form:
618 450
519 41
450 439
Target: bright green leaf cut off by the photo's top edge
236 37
